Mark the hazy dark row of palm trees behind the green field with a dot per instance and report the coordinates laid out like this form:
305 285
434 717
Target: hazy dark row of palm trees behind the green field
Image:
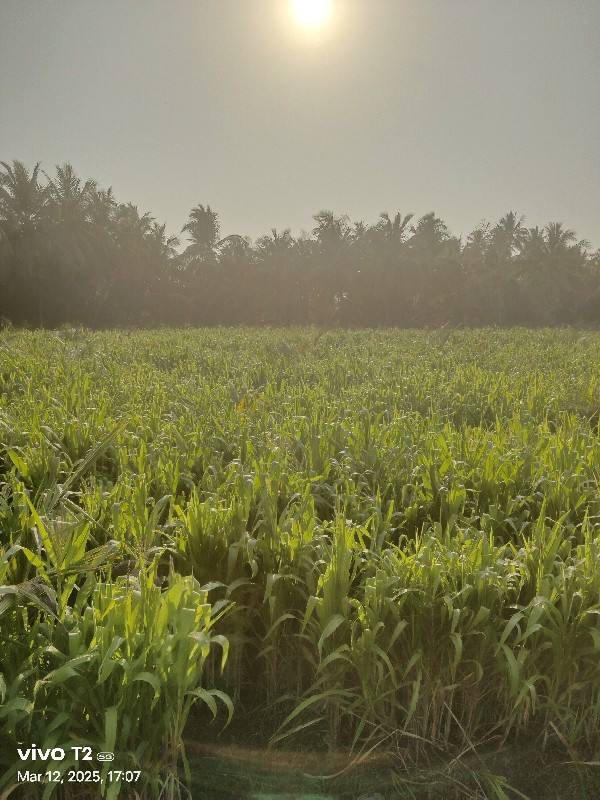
71 253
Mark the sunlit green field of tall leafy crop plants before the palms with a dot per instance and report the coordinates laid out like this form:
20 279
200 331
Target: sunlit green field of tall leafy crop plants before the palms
366 540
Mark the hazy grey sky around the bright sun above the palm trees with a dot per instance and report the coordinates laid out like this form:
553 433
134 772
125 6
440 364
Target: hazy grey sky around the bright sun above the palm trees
469 108
